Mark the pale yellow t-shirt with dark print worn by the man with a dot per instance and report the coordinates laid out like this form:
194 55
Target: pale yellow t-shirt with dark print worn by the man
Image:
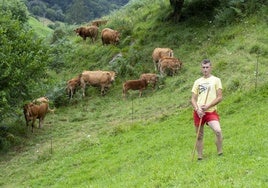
200 88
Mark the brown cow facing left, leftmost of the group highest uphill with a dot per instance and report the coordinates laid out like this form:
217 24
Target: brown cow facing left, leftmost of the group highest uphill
88 31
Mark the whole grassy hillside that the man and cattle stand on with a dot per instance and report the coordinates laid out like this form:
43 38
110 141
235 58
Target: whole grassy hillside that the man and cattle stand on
147 142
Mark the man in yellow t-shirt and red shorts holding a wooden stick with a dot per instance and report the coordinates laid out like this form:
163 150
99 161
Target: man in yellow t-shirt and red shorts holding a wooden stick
206 94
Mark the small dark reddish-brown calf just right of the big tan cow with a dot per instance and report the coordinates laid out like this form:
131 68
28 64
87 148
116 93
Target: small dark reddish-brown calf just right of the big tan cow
140 85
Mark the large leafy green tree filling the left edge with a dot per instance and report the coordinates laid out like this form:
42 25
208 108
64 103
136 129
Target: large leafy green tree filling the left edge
23 62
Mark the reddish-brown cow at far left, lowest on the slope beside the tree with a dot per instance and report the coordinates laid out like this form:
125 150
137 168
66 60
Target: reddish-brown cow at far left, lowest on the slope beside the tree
35 111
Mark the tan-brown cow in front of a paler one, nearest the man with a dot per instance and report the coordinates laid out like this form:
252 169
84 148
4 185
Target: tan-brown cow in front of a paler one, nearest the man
169 63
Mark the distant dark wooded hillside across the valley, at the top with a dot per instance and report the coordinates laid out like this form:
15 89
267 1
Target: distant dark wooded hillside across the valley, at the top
71 11
